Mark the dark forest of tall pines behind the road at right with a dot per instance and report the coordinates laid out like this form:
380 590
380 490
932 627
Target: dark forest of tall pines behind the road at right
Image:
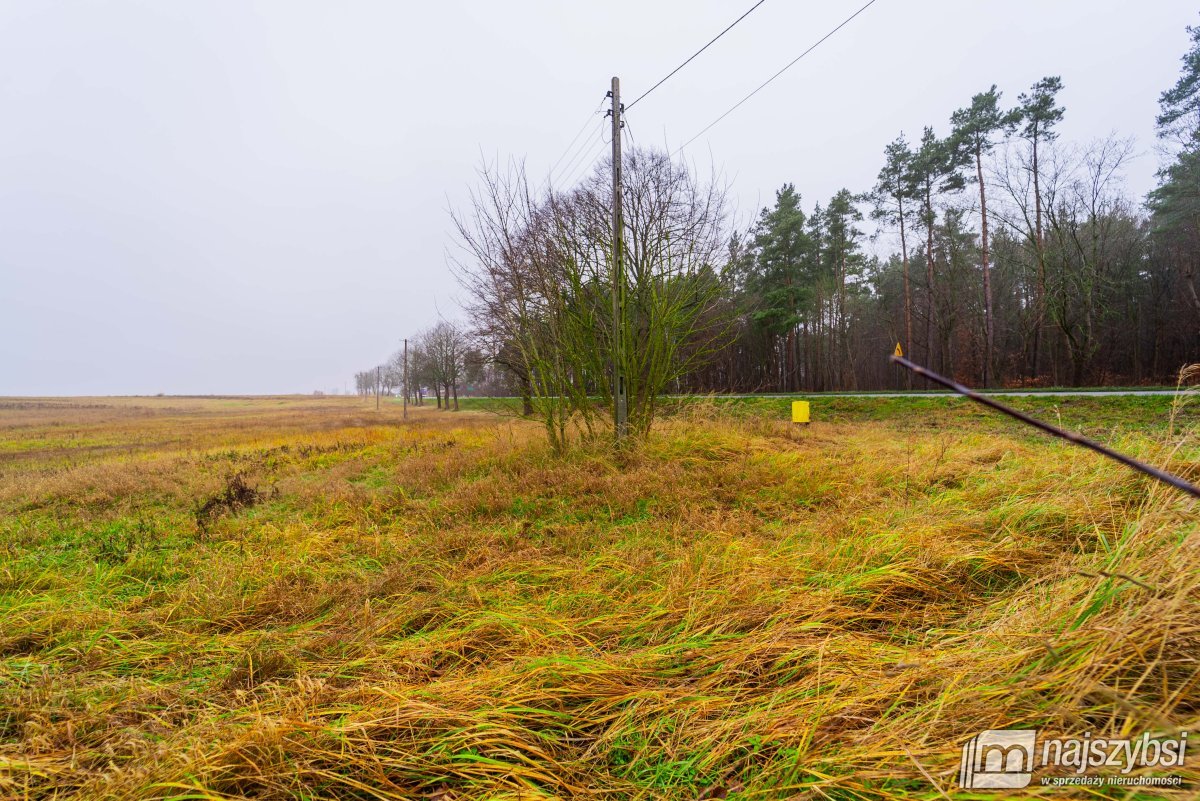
1022 262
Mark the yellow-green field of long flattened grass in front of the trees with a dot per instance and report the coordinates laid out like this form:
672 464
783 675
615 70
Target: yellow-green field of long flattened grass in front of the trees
304 599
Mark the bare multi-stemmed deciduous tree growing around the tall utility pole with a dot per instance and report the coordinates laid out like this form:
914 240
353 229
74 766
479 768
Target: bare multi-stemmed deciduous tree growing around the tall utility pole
538 270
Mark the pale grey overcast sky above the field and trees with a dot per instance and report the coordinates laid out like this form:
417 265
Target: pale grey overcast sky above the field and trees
224 196
